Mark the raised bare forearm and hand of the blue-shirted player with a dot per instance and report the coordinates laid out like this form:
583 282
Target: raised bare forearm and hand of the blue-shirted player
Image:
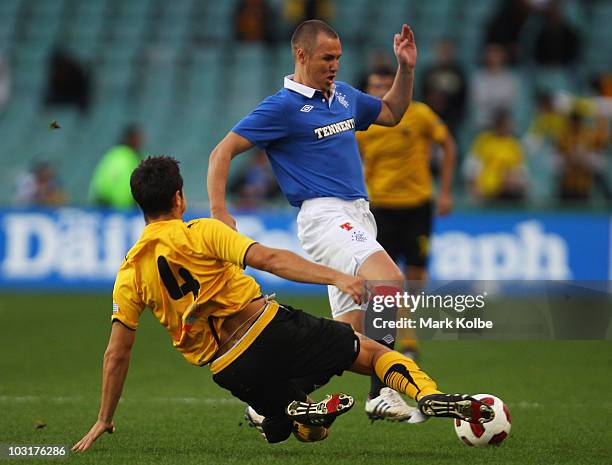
396 101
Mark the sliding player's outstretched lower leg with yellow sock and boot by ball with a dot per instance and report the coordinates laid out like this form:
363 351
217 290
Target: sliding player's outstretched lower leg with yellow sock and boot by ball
404 375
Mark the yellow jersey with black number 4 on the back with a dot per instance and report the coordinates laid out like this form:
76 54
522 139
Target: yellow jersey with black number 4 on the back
190 276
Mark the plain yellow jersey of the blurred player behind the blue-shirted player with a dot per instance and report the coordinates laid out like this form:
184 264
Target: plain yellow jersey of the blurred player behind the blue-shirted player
396 159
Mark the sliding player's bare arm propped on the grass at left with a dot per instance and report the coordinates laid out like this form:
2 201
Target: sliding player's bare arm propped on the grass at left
116 363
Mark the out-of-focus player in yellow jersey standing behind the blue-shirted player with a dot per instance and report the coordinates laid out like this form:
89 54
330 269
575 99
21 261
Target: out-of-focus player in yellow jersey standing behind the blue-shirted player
398 176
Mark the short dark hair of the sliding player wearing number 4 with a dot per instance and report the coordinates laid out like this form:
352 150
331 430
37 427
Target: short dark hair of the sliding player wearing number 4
154 183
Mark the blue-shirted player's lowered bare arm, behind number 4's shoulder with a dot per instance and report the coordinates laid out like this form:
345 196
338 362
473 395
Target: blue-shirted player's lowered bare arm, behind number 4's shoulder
218 172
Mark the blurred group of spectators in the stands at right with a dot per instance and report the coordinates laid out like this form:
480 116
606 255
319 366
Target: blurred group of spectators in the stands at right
568 136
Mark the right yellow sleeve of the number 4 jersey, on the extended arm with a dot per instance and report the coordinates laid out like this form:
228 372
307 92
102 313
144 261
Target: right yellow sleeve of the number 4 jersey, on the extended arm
222 242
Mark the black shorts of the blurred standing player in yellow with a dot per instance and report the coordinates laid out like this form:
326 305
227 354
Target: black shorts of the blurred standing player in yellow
405 232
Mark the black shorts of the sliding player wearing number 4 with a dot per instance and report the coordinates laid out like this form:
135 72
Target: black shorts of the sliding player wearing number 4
293 345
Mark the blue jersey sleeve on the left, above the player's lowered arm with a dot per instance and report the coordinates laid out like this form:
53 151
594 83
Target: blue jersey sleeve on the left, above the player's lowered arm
265 124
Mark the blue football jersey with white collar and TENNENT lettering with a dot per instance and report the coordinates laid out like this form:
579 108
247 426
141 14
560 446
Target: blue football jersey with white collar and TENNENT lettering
310 140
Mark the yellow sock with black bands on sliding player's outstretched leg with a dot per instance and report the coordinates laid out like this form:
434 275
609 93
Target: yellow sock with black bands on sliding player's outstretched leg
404 375
